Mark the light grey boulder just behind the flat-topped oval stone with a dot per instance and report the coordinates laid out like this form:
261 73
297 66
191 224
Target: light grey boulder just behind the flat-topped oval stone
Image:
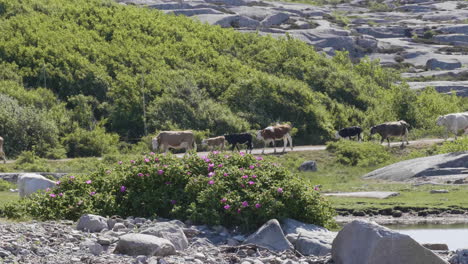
169 231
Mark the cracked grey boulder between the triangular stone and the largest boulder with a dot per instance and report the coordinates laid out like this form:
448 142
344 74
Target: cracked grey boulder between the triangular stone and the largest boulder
308 239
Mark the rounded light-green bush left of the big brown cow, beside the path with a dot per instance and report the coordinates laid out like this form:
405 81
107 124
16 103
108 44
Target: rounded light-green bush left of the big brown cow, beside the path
94 143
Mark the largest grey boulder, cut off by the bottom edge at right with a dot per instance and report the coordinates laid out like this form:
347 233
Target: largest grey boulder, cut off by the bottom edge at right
361 242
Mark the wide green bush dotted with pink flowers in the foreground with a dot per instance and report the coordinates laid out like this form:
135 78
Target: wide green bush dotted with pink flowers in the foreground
232 190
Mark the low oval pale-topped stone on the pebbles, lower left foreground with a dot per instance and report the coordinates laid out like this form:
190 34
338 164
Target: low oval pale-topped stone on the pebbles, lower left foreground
141 244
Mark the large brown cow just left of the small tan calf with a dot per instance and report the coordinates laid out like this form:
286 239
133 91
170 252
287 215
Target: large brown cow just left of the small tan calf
175 140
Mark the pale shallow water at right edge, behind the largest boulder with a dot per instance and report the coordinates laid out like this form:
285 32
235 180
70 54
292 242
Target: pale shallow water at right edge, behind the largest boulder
455 236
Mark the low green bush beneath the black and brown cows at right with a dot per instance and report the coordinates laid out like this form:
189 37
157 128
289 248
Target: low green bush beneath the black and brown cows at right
359 153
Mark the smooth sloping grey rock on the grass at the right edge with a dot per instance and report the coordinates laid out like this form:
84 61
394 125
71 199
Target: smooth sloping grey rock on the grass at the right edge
443 166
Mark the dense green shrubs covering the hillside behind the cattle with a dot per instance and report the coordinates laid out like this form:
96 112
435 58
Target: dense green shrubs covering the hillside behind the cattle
77 76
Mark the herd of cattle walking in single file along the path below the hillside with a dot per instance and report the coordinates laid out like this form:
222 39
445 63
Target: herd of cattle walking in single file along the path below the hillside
186 139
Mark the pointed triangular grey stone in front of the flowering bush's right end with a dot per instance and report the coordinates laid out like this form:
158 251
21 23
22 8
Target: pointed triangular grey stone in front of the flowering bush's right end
270 236
